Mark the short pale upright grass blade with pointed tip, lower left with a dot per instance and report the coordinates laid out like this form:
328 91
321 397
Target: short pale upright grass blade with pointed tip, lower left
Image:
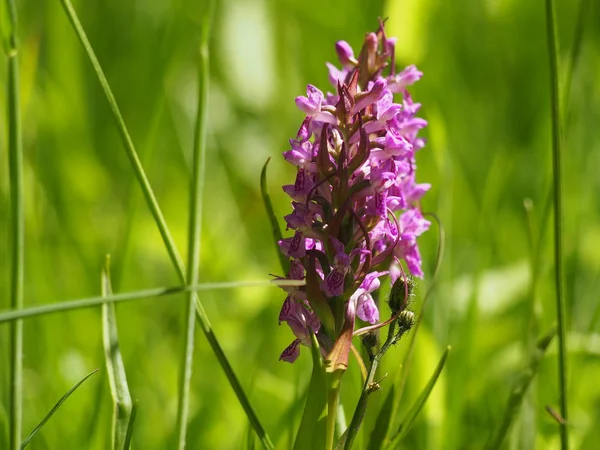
117 378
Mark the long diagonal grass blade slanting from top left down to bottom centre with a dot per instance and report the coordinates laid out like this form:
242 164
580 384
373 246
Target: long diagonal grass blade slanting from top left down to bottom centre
201 316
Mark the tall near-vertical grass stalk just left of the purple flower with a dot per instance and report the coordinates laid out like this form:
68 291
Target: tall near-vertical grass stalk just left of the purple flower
195 223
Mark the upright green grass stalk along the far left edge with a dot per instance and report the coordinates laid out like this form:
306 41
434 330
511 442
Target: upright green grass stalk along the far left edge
17 229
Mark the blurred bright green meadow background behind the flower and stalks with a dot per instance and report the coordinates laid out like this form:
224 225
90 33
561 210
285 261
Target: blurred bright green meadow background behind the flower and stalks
485 93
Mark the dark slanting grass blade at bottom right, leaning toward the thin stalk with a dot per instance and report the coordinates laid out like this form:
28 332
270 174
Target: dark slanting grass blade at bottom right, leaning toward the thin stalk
519 390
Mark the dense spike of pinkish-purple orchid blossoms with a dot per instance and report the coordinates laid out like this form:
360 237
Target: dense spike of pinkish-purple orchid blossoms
356 213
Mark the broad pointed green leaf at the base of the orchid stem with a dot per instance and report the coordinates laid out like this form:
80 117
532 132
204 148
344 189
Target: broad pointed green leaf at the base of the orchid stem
312 430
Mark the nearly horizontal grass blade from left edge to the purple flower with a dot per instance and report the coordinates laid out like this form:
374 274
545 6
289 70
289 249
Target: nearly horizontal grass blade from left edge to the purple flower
34 311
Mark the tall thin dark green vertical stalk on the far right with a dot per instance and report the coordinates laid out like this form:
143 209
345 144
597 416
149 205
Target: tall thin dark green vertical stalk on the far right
558 211
